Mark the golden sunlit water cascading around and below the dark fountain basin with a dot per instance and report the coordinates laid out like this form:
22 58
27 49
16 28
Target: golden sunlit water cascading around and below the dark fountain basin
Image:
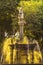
24 56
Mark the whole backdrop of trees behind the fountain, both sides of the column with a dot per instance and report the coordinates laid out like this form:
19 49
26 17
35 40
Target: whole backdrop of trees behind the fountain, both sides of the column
33 11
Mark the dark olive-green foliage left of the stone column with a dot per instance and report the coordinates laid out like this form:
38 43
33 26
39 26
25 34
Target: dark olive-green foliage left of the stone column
8 16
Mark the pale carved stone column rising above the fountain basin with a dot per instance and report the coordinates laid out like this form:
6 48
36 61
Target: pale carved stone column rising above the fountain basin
21 22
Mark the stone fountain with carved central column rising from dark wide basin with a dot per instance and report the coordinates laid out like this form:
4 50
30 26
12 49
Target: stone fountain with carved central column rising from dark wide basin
22 50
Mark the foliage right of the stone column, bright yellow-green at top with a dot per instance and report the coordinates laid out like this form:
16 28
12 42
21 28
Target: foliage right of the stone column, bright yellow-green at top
33 11
